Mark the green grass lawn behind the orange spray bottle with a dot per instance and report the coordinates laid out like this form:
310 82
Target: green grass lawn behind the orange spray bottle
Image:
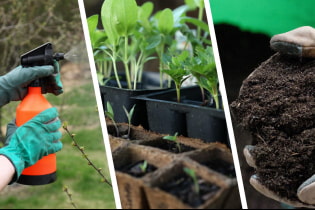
77 106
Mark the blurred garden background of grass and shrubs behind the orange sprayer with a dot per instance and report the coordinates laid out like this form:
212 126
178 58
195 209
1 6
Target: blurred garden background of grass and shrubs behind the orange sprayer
25 25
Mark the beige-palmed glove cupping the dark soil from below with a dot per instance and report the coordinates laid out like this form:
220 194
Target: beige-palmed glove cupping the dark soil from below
305 193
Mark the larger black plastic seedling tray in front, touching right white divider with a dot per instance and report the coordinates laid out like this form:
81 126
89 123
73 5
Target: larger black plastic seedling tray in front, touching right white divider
188 118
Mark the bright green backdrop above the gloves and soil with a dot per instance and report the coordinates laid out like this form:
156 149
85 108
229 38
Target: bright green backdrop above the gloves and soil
264 16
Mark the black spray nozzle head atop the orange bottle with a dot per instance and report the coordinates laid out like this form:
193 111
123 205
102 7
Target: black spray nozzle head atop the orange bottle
40 56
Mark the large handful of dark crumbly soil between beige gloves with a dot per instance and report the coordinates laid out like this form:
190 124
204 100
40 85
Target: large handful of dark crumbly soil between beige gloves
277 105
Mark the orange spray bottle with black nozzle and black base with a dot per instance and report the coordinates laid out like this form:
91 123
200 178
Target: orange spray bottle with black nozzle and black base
44 171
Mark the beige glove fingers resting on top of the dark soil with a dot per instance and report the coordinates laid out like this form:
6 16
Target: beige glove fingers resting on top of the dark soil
299 42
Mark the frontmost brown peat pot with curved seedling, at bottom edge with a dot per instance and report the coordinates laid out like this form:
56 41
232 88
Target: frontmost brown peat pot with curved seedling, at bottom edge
168 188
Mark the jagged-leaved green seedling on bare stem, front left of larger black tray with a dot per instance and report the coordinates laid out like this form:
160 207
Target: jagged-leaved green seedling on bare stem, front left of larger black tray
177 71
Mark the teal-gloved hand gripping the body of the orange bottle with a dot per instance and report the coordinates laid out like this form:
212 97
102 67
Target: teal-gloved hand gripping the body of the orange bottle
27 144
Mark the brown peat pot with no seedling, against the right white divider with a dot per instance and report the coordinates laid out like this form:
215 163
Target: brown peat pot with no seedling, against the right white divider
218 158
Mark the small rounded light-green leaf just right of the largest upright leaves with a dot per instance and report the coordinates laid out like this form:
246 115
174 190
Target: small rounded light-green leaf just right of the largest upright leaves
165 21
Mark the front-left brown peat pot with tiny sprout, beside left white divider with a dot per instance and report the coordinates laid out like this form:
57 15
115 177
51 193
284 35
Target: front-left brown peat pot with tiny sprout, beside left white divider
130 178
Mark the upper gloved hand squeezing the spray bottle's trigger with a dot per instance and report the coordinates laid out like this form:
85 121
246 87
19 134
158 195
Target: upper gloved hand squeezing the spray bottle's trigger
13 85
